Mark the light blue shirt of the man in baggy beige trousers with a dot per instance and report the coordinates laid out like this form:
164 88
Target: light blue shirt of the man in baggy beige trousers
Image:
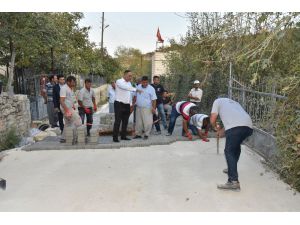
145 98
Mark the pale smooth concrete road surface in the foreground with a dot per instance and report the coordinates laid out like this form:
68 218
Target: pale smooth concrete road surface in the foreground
179 177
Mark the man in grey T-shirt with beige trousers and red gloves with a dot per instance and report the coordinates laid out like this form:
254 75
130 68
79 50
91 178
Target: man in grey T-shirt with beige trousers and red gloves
68 106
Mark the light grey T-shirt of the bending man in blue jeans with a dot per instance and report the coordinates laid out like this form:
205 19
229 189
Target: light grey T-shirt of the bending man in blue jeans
231 113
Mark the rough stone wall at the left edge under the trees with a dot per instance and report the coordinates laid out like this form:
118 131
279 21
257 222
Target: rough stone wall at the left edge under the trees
14 113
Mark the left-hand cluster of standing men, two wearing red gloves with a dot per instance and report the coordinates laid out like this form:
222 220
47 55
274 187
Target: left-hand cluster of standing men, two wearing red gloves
67 108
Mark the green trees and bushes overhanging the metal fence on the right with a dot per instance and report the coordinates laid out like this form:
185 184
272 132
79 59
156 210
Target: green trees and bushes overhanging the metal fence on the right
264 49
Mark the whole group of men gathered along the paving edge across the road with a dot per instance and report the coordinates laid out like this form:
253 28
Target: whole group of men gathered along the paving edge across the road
147 100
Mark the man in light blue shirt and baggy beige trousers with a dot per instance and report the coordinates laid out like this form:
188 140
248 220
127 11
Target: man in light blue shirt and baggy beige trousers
146 107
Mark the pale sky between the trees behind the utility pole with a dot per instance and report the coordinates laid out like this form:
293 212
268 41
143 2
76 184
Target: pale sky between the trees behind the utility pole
134 29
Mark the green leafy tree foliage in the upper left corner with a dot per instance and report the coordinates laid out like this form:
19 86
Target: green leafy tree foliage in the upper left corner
34 35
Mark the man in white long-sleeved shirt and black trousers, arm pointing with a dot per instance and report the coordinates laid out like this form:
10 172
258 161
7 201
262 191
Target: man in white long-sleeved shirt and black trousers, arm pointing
122 105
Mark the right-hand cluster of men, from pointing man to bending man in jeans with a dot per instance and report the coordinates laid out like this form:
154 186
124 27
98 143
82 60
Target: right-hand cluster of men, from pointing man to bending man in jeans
148 100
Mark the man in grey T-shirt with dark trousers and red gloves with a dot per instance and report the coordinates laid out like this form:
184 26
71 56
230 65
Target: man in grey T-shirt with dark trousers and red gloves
87 104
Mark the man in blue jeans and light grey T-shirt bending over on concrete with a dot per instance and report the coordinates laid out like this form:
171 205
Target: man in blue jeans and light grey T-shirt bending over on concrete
238 126
